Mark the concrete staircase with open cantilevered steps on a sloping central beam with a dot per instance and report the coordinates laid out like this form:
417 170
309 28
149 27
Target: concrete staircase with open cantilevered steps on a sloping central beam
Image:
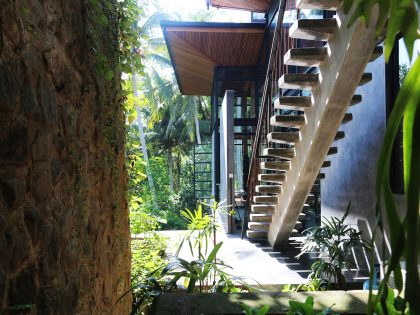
288 173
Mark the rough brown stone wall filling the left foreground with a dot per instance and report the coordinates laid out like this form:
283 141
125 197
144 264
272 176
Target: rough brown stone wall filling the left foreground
64 233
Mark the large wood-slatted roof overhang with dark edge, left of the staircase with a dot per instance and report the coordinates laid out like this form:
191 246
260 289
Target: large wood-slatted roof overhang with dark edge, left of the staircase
196 49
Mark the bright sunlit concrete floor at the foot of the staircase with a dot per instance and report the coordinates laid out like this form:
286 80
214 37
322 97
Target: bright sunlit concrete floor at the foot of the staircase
256 262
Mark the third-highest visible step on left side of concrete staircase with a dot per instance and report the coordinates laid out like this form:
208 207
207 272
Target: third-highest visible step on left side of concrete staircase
305 57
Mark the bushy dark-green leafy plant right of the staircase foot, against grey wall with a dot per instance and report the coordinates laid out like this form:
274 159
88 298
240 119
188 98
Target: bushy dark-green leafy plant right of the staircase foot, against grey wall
334 240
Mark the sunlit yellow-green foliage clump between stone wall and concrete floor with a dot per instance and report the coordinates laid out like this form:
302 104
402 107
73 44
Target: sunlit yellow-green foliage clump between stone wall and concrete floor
204 273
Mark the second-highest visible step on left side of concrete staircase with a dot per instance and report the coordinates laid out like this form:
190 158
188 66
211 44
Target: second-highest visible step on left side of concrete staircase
313 29
